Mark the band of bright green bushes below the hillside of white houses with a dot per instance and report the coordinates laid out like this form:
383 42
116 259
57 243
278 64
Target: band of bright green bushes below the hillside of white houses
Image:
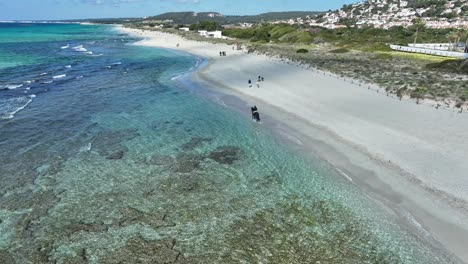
364 39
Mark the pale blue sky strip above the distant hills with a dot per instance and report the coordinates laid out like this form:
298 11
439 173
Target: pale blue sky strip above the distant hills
76 9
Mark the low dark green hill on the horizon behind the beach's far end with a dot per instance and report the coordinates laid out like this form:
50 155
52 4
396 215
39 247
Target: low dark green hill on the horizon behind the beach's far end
193 17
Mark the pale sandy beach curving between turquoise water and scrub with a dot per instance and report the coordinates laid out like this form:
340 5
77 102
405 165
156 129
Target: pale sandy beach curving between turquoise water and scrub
410 157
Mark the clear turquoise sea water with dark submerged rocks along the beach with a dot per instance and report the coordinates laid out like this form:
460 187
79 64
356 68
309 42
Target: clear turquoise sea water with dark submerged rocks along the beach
120 162
